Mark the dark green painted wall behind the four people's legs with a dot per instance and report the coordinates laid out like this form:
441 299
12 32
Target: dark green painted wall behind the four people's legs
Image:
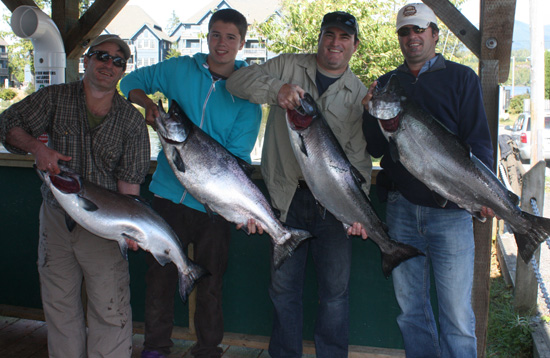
247 307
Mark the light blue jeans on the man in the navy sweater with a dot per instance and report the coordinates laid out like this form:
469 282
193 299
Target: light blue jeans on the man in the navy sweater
446 237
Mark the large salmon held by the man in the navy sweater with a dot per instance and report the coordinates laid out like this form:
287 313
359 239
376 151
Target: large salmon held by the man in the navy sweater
440 160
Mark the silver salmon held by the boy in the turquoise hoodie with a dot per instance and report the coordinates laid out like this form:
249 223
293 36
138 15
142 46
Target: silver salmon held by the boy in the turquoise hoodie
219 180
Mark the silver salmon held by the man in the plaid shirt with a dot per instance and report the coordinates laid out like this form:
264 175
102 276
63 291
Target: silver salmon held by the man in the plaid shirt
115 216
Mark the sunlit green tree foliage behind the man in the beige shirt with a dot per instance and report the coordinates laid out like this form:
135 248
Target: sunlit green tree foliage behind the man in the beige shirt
297 31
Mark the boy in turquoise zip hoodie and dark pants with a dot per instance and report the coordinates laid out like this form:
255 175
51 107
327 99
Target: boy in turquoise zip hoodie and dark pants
198 85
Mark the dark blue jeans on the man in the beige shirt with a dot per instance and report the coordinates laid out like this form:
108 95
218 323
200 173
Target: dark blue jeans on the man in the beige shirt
331 251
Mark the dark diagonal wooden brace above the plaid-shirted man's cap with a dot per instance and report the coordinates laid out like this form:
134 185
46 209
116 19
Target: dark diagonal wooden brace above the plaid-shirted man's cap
90 25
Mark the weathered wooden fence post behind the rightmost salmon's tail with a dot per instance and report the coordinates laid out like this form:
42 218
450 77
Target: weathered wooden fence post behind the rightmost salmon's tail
526 288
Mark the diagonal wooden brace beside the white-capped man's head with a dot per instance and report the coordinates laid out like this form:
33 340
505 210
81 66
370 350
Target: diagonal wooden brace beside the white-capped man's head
457 23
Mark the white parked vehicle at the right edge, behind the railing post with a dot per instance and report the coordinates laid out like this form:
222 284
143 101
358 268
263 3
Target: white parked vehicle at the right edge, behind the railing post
521 134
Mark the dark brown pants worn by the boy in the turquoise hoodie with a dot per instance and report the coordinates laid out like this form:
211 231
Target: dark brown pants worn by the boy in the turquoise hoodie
210 237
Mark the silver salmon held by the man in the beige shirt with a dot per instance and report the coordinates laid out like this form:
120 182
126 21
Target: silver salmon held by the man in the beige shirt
336 183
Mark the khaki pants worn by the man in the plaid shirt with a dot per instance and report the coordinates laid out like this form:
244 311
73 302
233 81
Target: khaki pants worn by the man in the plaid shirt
64 259
